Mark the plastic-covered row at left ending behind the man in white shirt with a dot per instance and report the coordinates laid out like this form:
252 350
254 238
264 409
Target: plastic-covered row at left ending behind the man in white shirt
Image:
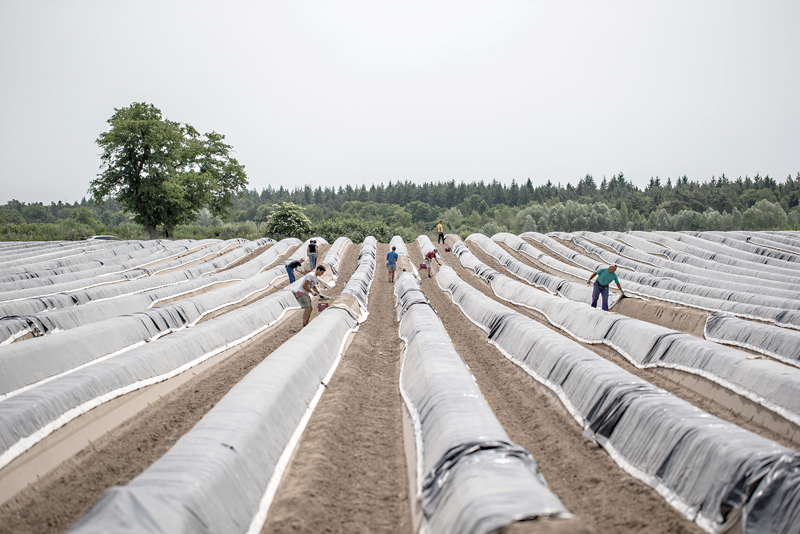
31 415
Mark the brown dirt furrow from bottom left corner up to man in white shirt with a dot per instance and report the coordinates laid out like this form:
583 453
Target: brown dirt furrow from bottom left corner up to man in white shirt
61 497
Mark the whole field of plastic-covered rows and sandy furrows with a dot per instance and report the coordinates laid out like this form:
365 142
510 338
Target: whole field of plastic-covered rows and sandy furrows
168 386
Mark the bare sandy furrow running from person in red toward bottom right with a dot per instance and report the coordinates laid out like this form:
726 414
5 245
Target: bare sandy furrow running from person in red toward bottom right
583 476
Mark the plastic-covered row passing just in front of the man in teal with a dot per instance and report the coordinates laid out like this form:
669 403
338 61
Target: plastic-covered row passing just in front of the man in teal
765 382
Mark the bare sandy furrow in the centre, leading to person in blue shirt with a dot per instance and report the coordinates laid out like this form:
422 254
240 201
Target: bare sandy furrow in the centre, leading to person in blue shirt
348 473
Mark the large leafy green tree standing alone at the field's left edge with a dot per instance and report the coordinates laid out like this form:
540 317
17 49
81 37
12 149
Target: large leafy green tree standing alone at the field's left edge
165 172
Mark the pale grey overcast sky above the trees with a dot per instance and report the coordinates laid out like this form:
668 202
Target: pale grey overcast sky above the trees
360 92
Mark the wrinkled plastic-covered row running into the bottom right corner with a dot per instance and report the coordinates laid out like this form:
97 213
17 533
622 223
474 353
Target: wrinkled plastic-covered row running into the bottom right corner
705 467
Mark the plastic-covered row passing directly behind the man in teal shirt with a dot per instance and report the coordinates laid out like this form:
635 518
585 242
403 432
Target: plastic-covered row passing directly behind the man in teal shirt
780 317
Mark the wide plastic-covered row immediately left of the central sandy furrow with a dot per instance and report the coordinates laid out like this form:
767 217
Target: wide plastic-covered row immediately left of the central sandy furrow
223 474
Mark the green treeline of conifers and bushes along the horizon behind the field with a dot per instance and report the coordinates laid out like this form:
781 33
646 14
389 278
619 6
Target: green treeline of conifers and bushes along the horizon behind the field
405 208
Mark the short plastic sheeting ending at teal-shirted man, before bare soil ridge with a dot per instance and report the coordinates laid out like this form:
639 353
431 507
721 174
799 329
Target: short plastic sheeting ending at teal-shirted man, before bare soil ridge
553 284
